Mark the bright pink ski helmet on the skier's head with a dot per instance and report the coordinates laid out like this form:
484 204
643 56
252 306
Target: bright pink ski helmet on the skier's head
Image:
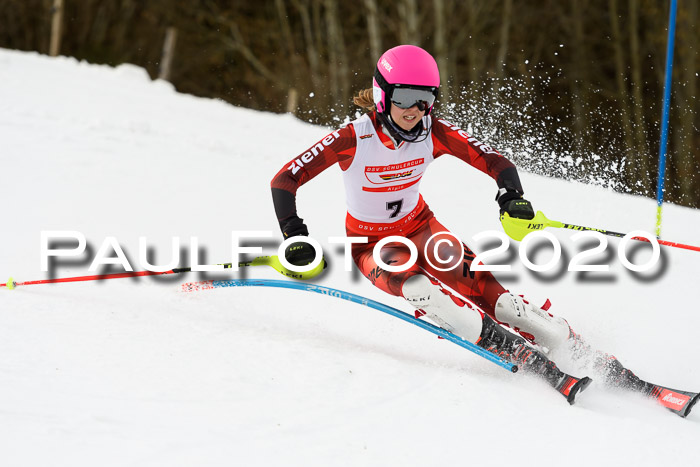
406 76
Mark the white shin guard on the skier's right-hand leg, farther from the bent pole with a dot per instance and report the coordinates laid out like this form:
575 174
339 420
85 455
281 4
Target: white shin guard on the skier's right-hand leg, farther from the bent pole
548 330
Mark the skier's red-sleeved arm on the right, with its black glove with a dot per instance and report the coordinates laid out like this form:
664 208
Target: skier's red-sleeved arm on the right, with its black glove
449 139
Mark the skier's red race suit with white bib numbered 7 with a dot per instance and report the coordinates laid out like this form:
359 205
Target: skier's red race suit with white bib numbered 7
382 193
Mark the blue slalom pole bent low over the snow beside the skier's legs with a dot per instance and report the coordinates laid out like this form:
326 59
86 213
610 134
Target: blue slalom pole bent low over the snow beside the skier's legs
213 284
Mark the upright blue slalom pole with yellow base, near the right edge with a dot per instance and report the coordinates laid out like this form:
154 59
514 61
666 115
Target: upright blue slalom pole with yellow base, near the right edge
665 115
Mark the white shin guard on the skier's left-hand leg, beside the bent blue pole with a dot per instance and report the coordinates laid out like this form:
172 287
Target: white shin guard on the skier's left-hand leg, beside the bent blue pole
448 312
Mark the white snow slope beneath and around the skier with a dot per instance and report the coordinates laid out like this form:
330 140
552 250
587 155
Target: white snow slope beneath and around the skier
134 372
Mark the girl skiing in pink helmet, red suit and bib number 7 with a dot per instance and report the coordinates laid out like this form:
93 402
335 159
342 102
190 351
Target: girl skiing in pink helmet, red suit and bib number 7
383 156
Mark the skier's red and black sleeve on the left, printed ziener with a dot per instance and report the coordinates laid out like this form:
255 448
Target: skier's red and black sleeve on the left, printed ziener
338 146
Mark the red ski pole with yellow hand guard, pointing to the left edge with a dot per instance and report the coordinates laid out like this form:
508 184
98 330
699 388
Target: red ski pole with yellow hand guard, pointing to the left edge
272 261
